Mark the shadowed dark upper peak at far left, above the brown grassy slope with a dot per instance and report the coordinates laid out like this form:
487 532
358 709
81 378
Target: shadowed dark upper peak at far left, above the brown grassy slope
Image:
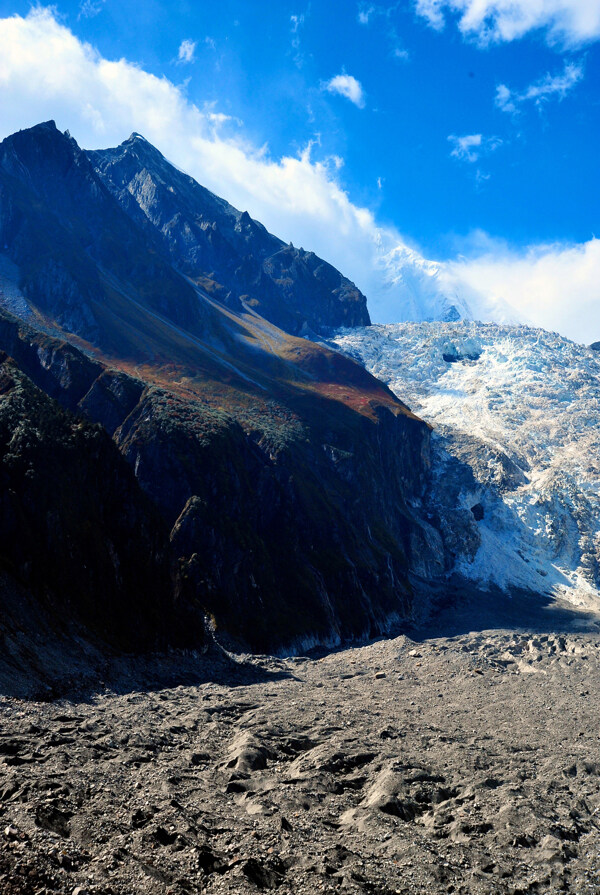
78 252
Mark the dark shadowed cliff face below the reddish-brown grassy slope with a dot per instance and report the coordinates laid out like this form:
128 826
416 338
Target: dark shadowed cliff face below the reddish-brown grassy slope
289 519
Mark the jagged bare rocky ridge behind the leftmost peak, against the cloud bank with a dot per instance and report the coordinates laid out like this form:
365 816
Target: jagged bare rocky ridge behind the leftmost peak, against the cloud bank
227 252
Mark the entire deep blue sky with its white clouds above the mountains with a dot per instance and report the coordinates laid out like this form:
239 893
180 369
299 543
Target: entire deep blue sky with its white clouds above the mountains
472 143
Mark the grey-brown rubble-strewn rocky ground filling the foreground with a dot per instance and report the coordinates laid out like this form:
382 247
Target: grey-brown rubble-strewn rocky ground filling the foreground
462 757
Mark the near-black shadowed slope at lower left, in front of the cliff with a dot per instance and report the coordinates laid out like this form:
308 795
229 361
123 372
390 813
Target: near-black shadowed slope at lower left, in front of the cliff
78 537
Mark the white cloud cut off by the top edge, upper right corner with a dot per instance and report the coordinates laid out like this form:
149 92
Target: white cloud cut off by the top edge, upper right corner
567 22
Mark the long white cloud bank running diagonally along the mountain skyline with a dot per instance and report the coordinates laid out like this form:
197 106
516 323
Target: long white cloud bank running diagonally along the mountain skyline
46 72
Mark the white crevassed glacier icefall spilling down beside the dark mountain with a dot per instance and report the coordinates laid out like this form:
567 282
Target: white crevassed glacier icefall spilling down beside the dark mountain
515 412
